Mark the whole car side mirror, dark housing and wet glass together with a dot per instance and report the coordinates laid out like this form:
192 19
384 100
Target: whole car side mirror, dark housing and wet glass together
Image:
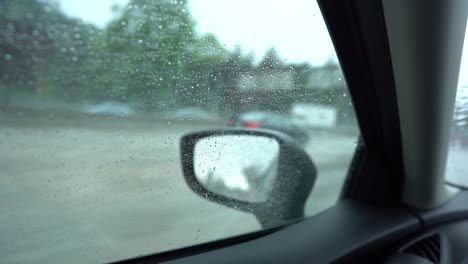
258 171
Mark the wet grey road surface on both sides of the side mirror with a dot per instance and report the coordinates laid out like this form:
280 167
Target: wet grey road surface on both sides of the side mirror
87 190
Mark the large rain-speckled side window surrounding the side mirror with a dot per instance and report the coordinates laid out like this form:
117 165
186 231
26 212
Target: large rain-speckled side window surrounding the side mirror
96 95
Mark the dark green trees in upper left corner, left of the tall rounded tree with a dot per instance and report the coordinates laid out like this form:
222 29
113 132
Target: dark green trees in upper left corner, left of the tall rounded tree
42 51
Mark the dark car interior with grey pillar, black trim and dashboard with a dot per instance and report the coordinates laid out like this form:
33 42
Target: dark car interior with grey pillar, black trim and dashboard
401 61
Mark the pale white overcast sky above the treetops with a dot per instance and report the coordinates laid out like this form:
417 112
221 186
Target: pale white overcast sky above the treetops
294 27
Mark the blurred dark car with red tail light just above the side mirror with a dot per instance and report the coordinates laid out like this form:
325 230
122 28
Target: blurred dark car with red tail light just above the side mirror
274 121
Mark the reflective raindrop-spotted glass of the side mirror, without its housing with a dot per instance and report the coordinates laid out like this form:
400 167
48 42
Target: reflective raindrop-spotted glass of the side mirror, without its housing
242 167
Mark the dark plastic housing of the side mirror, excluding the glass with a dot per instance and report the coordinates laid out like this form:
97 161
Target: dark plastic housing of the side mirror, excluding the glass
296 175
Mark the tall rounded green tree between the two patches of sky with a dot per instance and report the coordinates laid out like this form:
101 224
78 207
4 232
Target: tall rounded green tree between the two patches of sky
148 48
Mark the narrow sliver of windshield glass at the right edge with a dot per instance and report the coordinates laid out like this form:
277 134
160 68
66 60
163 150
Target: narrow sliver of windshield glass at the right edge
457 168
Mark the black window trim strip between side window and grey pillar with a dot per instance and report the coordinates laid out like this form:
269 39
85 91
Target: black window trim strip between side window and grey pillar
376 173
